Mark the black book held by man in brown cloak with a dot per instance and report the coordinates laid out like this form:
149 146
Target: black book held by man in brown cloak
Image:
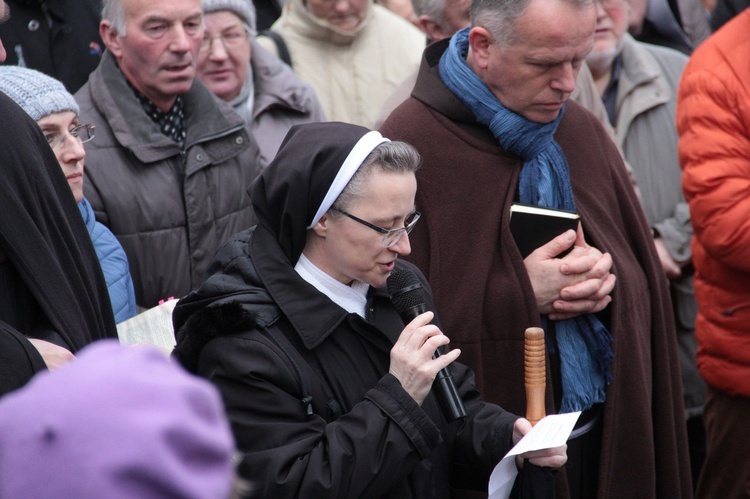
535 226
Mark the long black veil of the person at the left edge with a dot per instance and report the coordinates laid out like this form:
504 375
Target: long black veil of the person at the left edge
43 235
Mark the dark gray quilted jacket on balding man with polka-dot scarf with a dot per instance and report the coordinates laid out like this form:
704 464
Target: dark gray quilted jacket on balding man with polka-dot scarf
170 209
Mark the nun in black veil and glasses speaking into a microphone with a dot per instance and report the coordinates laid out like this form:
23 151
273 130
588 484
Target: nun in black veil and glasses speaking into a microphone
327 392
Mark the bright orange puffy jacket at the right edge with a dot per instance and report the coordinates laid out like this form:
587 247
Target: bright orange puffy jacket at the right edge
713 120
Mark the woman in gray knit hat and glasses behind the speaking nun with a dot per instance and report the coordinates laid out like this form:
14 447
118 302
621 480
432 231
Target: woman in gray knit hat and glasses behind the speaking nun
261 88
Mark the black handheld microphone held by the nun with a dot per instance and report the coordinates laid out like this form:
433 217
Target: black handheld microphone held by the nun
407 296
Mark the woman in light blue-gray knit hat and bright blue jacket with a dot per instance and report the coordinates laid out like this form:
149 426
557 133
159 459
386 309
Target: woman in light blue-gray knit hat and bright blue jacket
56 112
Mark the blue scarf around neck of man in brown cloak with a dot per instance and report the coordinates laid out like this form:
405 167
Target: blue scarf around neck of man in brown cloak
584 344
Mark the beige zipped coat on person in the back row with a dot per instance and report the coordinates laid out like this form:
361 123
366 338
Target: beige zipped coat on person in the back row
352 73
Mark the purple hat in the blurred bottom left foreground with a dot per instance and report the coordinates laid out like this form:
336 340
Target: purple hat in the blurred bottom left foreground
116 422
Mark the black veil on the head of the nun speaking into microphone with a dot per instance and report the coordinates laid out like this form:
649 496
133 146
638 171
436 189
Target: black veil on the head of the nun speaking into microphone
288 193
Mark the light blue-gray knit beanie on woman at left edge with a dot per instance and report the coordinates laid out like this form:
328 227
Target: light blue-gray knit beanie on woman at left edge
38 94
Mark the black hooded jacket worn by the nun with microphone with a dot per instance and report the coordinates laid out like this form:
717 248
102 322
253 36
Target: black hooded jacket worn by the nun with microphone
307 388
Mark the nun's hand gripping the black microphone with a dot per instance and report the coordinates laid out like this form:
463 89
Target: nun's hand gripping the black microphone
411 357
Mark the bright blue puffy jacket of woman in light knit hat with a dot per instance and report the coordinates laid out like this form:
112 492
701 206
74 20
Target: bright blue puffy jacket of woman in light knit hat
114 264
